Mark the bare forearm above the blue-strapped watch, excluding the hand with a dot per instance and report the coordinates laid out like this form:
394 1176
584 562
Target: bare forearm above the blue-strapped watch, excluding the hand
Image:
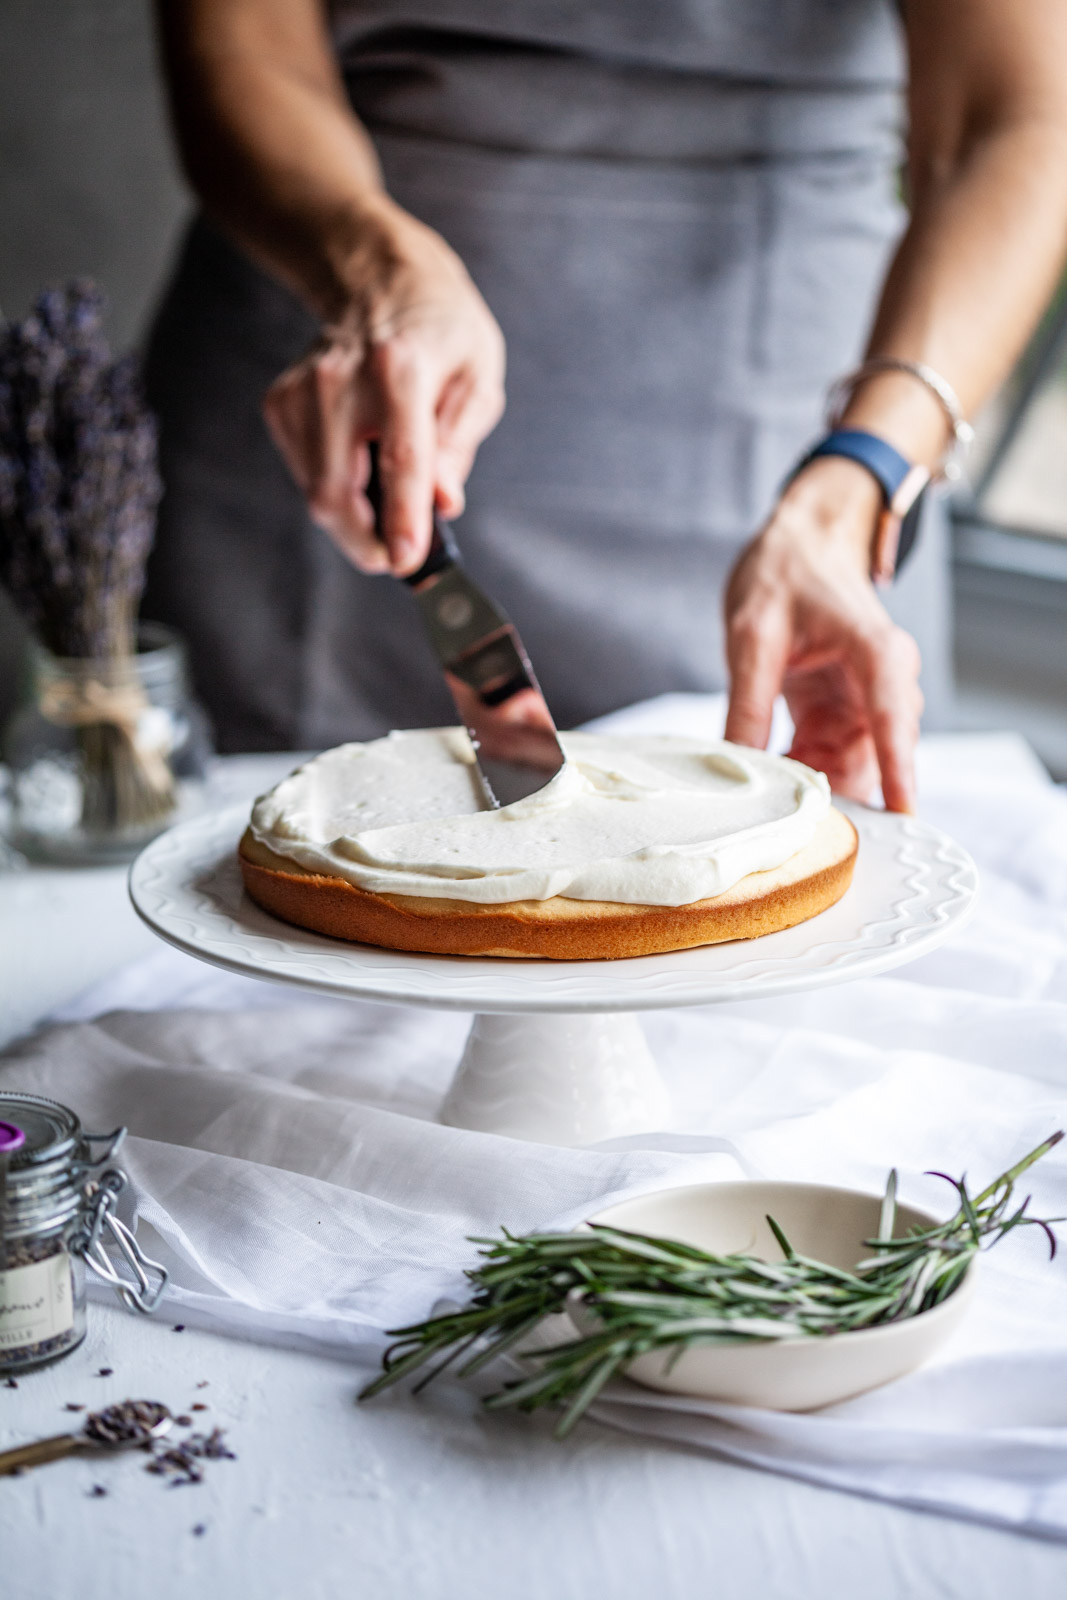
988 177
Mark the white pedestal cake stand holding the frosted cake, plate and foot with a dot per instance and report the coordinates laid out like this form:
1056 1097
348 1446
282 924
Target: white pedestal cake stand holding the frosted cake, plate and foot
556 1052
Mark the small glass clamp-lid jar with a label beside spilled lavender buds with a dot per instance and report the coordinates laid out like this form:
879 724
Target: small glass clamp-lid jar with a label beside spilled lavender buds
57 1209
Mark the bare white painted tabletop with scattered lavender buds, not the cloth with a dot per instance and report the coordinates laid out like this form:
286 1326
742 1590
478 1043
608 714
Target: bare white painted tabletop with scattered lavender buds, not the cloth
418 1500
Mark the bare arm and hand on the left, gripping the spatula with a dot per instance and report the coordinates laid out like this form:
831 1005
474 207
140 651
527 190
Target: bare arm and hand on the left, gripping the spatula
414 354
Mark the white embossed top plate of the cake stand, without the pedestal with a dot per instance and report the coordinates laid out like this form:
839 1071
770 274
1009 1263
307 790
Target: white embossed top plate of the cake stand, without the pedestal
933 878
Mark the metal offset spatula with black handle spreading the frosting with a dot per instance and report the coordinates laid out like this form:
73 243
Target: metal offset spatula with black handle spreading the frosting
487 671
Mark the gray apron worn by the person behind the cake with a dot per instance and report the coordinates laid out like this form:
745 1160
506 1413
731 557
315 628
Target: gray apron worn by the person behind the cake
681 217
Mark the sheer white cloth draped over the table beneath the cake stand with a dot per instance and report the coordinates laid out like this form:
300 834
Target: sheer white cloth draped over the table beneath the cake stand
287 1161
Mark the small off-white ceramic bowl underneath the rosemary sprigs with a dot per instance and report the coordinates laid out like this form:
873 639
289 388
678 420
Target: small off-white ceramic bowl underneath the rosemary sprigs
789 1375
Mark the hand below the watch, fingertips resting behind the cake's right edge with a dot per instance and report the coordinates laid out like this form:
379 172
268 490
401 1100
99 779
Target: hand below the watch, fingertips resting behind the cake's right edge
804 620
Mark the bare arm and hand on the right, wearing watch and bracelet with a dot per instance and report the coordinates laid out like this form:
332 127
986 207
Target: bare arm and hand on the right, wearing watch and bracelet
988 174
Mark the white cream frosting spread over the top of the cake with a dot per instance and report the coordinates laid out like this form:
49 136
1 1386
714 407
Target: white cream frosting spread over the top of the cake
644 820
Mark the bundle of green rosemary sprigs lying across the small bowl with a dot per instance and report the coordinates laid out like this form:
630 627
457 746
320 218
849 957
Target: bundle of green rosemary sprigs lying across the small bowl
658 1294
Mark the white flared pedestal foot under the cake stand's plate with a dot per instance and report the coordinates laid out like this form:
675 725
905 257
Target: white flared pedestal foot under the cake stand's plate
573 1079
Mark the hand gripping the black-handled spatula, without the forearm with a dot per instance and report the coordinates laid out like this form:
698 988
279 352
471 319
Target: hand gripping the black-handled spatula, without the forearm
417 362
